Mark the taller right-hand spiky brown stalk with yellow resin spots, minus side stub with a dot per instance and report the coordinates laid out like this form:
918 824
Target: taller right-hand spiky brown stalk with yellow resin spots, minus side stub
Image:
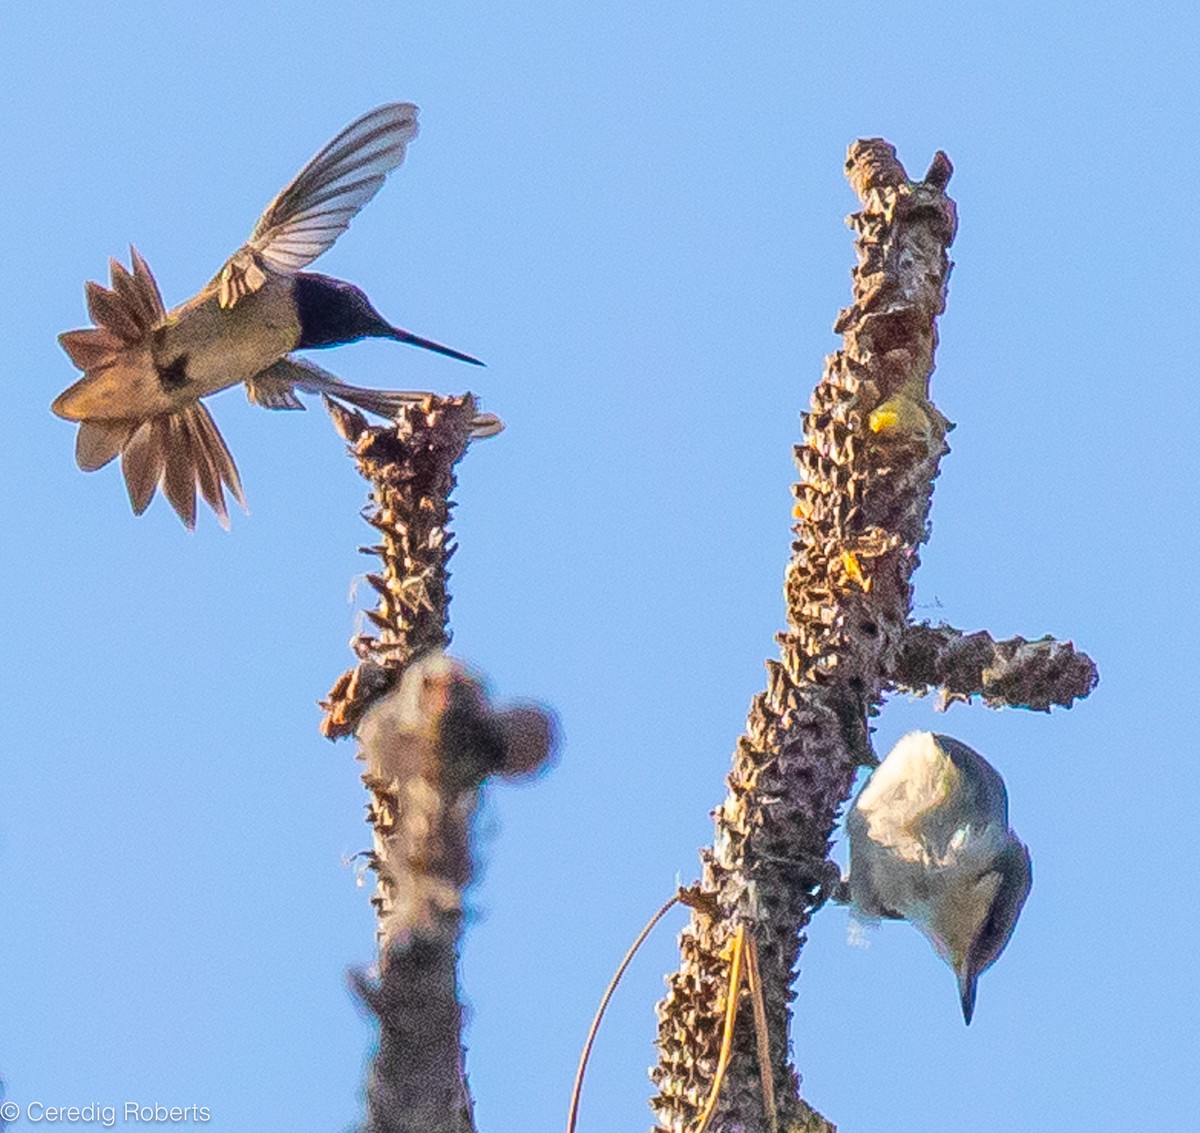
872 447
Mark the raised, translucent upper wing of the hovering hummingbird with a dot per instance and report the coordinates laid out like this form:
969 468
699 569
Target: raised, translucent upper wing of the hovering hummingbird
308 217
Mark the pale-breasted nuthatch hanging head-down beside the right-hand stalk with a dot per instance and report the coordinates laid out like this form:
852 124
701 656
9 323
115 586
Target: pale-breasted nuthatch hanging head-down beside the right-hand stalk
931 843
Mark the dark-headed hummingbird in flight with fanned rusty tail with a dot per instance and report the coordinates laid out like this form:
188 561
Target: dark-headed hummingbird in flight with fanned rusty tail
146 369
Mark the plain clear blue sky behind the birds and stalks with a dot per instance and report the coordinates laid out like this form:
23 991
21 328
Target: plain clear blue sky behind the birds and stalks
634 213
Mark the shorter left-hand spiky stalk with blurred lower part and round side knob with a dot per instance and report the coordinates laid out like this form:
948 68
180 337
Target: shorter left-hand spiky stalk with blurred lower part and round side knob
429 738
